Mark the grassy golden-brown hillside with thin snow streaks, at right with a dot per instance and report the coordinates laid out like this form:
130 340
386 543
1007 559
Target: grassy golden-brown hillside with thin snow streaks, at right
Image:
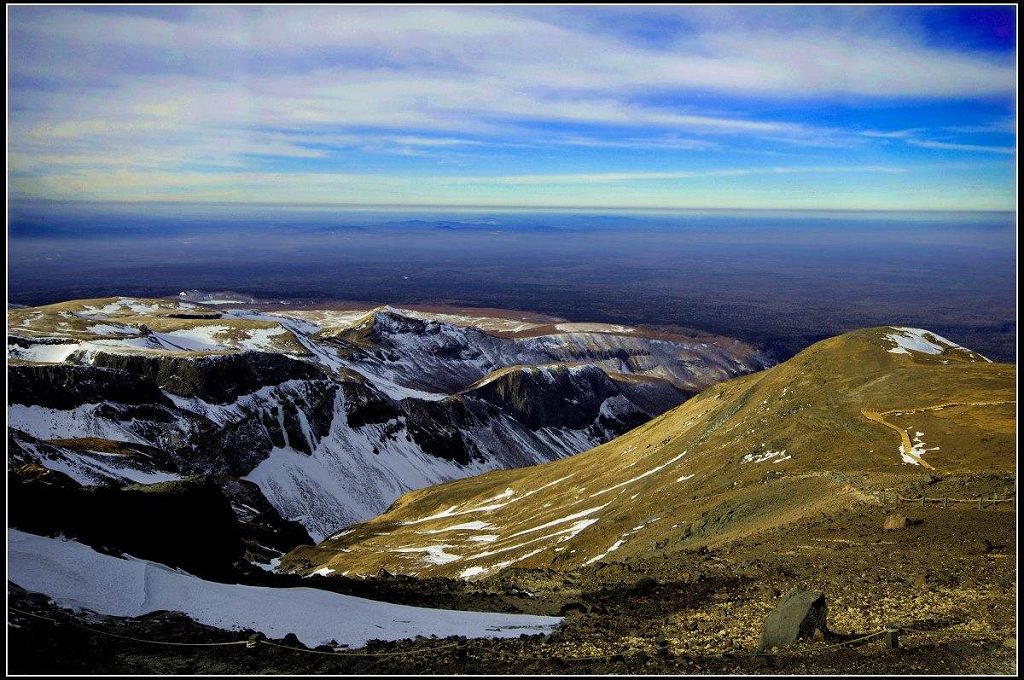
693 475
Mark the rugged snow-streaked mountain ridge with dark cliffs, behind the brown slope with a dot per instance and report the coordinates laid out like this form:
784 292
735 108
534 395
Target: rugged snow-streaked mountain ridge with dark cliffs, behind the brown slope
333 415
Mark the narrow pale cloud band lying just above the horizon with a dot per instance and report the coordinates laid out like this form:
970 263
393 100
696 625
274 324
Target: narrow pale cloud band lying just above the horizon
643 190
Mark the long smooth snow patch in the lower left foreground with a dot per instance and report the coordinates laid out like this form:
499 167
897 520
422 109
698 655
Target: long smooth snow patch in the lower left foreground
79 578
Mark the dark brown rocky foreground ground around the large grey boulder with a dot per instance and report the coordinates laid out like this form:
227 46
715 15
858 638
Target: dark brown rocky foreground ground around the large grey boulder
947 579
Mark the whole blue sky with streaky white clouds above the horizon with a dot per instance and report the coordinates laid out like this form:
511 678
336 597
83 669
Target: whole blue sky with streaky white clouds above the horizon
903 108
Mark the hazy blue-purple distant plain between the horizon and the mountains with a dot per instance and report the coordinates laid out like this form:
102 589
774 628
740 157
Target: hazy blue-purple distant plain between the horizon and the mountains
781 279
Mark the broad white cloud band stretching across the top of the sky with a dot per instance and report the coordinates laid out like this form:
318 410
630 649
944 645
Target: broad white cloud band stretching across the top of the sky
722 53
